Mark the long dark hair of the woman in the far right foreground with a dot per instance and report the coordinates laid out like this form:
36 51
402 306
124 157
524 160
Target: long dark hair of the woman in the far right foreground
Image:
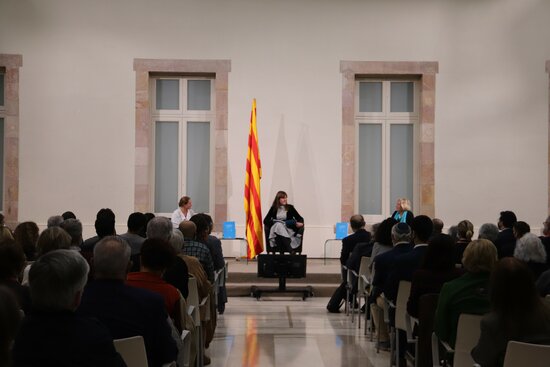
514 297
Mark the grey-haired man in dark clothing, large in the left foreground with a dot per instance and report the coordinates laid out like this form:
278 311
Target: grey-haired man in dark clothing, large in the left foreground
54 335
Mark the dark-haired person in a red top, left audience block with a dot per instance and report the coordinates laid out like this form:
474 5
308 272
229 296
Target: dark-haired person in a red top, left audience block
156 256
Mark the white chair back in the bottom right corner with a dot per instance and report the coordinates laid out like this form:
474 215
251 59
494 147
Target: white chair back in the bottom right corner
532 355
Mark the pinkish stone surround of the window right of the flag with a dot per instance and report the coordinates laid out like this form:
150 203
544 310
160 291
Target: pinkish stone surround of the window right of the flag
426 71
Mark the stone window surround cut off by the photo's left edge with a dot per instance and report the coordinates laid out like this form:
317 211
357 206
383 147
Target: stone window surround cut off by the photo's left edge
10 207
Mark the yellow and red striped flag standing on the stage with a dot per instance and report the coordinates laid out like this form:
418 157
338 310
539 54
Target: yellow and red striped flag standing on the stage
252 202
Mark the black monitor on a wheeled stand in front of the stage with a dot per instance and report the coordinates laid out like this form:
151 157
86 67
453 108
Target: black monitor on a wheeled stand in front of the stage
282 267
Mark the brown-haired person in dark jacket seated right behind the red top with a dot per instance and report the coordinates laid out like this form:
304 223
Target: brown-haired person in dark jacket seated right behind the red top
127 311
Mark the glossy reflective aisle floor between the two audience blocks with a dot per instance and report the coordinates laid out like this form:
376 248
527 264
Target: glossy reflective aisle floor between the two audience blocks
289 332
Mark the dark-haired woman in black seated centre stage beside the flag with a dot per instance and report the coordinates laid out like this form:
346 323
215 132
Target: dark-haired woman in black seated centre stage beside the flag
284 225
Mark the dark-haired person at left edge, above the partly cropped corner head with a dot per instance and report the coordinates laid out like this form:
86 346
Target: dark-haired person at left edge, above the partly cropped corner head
12 262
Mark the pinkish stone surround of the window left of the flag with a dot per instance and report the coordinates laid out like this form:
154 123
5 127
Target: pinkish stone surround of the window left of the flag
144 128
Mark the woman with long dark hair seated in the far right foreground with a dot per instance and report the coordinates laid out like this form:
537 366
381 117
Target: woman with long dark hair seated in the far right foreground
517 313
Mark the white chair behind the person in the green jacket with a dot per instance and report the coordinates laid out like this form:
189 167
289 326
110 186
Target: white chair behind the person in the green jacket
467 335
